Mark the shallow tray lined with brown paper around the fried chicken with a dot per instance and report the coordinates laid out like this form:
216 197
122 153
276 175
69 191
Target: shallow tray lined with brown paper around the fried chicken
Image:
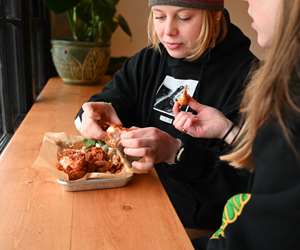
47 158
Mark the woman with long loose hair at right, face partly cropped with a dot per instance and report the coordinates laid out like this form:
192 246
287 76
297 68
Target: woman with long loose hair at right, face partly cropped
268 144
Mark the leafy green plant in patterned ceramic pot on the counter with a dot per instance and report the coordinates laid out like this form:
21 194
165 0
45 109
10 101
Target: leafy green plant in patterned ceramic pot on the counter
84 59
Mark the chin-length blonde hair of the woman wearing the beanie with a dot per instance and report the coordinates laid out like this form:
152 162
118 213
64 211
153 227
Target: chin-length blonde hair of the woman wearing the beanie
214 30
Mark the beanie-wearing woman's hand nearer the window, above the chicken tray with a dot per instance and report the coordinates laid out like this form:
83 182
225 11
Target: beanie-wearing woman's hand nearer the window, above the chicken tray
97 115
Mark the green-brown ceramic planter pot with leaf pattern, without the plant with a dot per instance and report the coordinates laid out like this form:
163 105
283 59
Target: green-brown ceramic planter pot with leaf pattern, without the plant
80 62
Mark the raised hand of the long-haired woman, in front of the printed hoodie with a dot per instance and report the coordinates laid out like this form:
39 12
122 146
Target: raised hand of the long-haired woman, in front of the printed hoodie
208 122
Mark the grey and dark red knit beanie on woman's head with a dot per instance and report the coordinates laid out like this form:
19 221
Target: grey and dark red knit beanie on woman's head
198 4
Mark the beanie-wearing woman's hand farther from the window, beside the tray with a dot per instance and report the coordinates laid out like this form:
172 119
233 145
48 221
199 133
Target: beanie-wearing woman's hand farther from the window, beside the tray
151 145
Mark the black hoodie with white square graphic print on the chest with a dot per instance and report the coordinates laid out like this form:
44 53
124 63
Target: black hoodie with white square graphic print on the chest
143 92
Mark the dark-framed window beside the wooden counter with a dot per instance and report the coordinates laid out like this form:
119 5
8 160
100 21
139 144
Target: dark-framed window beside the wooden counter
25 63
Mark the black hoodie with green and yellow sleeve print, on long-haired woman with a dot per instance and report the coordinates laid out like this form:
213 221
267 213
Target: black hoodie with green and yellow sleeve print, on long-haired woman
269 216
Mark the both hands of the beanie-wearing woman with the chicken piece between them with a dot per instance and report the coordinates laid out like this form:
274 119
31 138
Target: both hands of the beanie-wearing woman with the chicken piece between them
145 146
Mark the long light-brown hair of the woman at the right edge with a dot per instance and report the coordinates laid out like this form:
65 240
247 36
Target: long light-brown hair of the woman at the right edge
269 92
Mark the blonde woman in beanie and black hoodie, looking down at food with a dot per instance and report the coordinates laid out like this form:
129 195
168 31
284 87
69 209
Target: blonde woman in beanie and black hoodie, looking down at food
194 46
